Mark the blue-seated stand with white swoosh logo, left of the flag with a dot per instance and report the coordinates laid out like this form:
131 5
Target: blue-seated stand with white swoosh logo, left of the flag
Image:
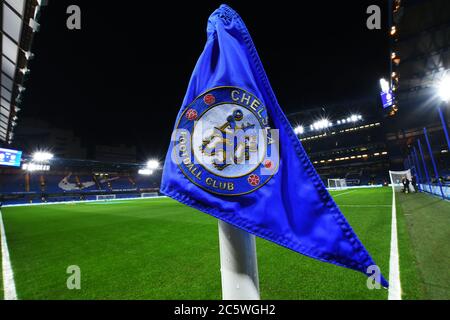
71 183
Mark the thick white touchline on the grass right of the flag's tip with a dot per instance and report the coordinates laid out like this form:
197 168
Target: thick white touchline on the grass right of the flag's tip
395 290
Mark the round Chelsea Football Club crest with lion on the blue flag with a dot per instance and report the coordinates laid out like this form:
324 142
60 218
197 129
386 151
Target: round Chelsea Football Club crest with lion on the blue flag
223 142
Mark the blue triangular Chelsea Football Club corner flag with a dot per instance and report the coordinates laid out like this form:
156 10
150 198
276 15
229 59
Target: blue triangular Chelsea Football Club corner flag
234 155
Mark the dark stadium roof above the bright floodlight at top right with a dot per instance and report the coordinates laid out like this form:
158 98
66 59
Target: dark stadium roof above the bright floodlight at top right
422 45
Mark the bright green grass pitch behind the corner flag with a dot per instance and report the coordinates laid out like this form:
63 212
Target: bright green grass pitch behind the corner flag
160 249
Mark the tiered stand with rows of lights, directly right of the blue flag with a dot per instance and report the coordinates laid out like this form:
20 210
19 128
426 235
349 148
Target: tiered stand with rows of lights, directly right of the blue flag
345 141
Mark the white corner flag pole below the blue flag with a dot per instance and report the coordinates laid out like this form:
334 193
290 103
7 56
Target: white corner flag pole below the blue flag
238 263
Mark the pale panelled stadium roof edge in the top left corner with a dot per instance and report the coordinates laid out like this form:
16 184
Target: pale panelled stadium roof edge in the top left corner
18 21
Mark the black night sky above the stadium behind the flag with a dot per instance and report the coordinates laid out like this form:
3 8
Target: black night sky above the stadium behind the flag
122 77
